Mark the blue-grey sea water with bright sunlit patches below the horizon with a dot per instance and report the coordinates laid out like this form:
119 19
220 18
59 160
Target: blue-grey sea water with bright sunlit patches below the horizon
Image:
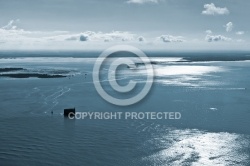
212 95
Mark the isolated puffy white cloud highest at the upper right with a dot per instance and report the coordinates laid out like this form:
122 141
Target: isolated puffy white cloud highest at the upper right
211 9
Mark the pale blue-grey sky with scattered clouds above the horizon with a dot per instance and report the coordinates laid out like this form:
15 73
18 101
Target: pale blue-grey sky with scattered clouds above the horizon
147 24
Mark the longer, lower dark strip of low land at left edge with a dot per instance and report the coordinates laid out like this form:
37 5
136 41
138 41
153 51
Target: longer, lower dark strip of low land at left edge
28 75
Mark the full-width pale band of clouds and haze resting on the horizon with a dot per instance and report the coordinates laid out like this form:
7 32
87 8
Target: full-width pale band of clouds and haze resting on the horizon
12 37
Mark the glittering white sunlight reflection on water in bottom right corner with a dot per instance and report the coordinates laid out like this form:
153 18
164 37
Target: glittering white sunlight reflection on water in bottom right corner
194 147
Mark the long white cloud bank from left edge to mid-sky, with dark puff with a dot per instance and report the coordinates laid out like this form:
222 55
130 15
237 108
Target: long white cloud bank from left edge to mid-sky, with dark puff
10 33
